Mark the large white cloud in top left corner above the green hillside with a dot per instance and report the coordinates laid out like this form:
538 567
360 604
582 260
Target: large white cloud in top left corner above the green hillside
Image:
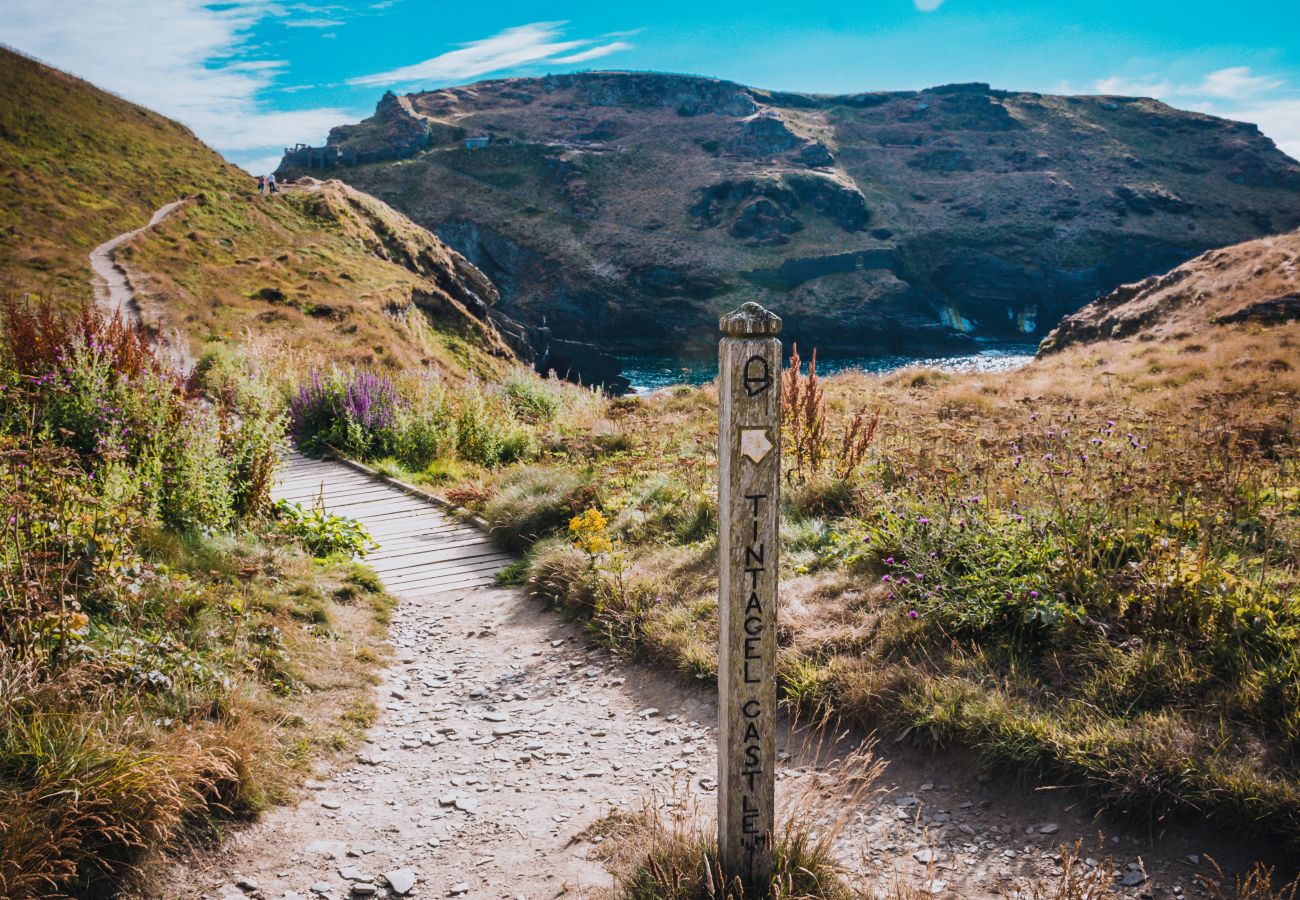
181 58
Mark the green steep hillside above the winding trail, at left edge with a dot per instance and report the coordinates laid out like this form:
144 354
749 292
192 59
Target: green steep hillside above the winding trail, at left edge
77 167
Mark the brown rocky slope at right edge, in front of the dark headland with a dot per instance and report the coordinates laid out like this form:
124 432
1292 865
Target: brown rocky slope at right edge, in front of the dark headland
1258 282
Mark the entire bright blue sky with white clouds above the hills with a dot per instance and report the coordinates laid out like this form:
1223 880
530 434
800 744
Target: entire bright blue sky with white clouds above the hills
254 76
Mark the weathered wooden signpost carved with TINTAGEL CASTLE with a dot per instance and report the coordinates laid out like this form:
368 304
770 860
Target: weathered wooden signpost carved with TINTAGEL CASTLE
749 458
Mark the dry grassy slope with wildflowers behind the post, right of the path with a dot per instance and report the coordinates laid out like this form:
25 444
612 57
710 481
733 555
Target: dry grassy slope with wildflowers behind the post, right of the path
1115 530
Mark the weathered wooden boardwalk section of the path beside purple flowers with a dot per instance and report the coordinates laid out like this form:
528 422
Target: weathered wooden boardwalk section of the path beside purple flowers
422 549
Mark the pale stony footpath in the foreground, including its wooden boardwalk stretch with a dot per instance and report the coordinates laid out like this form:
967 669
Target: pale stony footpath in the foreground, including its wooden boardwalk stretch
505 733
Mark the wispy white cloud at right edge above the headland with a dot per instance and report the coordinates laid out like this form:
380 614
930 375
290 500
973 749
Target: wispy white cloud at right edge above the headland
1232 93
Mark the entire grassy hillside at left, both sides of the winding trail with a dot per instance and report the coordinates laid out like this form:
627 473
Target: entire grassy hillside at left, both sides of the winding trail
81 166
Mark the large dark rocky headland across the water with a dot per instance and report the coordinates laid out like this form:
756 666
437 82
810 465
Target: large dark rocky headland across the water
630 210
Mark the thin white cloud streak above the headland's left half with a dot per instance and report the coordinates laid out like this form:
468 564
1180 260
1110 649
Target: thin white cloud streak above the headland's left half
539 42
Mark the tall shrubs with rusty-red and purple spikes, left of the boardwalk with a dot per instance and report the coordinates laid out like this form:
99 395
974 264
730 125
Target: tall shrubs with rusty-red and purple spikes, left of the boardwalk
146 440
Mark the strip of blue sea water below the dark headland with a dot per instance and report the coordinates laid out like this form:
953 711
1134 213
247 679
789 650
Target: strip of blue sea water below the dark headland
651 374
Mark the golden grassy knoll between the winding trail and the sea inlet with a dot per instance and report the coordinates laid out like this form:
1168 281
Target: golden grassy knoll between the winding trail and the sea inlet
323 274
